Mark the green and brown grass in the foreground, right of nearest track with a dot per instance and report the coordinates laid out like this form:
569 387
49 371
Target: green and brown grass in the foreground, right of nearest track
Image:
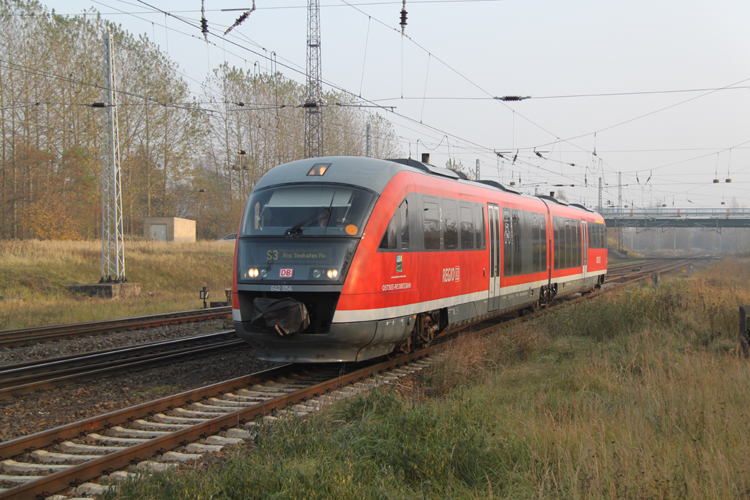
637 396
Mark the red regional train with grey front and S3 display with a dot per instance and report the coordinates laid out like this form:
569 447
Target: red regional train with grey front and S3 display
349 258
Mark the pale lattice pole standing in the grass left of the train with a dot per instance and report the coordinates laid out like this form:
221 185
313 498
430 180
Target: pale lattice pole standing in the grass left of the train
113 246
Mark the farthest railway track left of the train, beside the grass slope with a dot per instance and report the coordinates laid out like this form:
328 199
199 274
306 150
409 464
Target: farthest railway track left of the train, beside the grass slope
24 336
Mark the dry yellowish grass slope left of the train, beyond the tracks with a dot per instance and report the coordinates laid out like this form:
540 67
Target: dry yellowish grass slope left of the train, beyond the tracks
170 275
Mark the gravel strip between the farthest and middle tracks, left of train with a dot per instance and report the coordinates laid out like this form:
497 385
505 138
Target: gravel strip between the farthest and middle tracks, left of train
44 350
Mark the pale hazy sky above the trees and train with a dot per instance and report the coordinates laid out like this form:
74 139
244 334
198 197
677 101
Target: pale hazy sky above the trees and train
657 90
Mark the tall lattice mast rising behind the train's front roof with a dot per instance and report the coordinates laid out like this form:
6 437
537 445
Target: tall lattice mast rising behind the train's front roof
314 100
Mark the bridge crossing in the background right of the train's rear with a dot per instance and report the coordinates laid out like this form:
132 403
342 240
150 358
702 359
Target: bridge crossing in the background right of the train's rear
660 217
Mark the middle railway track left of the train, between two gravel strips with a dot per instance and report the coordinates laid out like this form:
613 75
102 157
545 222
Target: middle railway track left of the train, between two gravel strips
22 378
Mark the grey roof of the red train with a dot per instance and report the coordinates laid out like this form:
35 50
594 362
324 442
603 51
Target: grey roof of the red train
375 174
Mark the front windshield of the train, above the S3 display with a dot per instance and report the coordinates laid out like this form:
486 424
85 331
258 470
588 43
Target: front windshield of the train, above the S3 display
309 210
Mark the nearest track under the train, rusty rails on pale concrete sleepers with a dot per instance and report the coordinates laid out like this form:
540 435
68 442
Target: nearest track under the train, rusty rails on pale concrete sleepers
180 428
